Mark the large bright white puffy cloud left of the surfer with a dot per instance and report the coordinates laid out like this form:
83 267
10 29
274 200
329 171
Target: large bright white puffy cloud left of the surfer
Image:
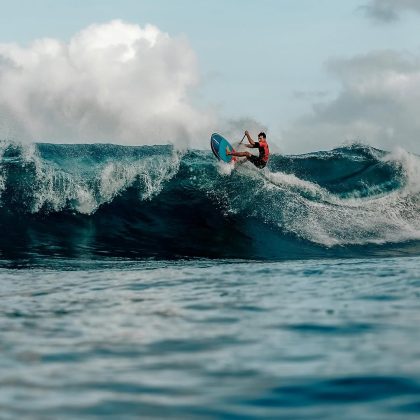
113 82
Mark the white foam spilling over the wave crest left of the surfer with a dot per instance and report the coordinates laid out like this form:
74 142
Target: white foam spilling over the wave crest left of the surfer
54 189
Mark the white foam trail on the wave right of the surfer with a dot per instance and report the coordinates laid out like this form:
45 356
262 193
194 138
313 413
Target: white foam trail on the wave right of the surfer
313 213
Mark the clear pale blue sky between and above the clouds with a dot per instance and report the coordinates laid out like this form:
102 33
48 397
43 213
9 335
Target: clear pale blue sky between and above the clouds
264 59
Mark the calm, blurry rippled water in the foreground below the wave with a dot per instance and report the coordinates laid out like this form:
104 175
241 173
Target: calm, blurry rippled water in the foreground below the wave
335 338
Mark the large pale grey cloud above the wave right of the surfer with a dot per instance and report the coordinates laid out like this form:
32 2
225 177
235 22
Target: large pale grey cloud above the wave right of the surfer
378 104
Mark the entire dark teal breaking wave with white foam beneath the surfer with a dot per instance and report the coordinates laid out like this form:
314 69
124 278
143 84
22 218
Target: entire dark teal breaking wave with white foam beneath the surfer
154 202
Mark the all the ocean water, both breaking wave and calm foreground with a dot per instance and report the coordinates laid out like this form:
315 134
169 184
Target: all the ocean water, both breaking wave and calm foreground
143 282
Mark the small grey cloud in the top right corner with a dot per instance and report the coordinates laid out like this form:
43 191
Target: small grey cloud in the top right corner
390 10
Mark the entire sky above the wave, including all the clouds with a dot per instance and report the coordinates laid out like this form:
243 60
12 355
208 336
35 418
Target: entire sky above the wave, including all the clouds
313 73
